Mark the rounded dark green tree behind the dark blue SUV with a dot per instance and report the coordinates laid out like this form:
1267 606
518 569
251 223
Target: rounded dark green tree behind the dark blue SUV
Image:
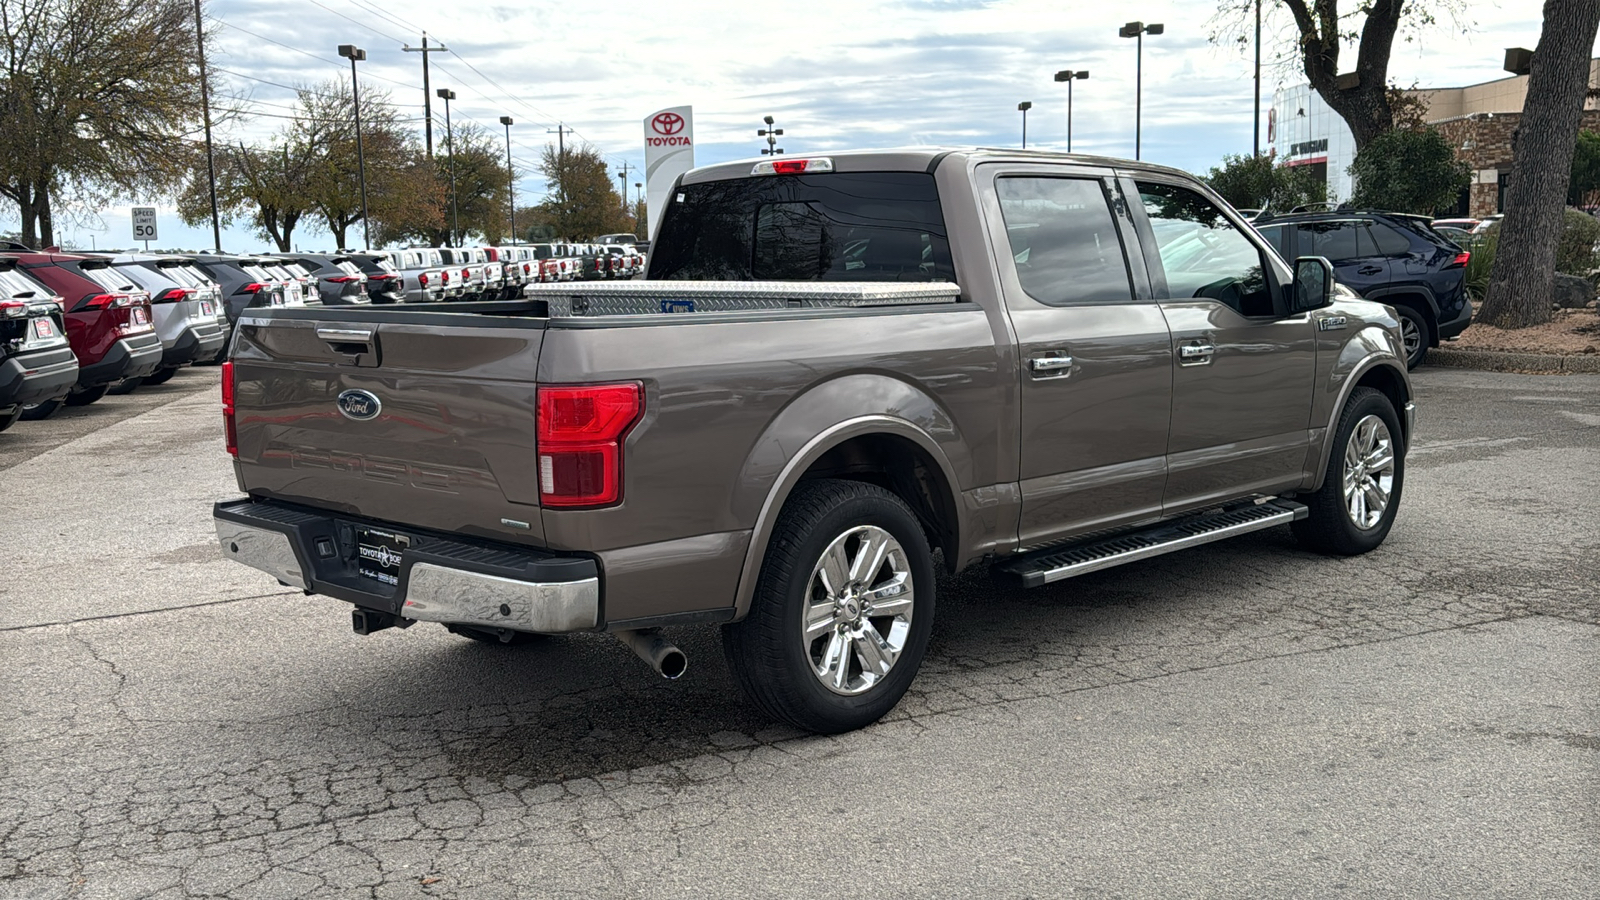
1409 172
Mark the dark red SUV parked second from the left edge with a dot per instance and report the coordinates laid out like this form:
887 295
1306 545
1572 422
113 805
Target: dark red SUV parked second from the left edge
110 324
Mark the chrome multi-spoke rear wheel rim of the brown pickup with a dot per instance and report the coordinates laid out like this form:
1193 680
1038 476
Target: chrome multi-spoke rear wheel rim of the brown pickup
858 609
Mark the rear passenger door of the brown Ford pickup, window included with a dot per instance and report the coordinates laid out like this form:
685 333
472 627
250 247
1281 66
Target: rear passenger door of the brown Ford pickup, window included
1094 350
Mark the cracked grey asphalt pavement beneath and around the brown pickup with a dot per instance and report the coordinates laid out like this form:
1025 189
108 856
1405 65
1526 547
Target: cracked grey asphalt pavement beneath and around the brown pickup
1233 721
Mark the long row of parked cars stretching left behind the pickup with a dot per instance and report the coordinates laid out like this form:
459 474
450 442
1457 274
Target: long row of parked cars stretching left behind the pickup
76 327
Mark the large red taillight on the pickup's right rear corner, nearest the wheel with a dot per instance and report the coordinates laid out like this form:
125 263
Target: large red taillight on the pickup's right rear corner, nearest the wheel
582 433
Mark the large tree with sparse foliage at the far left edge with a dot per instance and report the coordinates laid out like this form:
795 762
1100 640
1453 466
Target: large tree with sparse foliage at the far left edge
98 100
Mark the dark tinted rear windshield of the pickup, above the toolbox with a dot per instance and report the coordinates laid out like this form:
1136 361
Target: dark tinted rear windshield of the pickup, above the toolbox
879 227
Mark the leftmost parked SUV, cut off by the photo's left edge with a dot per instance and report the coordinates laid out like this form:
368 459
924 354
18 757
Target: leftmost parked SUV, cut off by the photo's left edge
36 361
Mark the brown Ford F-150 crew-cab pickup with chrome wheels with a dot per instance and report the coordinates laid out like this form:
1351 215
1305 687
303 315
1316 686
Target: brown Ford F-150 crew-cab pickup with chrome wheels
839 374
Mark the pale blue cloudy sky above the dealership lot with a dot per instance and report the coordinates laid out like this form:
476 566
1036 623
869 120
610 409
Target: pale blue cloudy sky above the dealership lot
834 73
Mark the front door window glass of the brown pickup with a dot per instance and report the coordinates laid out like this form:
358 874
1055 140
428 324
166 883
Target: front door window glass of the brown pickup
1202 254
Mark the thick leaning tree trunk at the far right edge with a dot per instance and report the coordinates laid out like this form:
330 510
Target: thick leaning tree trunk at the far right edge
1524 275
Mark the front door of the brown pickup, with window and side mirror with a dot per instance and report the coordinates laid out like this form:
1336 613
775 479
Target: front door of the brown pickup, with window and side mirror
1242 366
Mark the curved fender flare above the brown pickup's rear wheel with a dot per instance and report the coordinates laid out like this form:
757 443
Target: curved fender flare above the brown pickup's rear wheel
823 419
